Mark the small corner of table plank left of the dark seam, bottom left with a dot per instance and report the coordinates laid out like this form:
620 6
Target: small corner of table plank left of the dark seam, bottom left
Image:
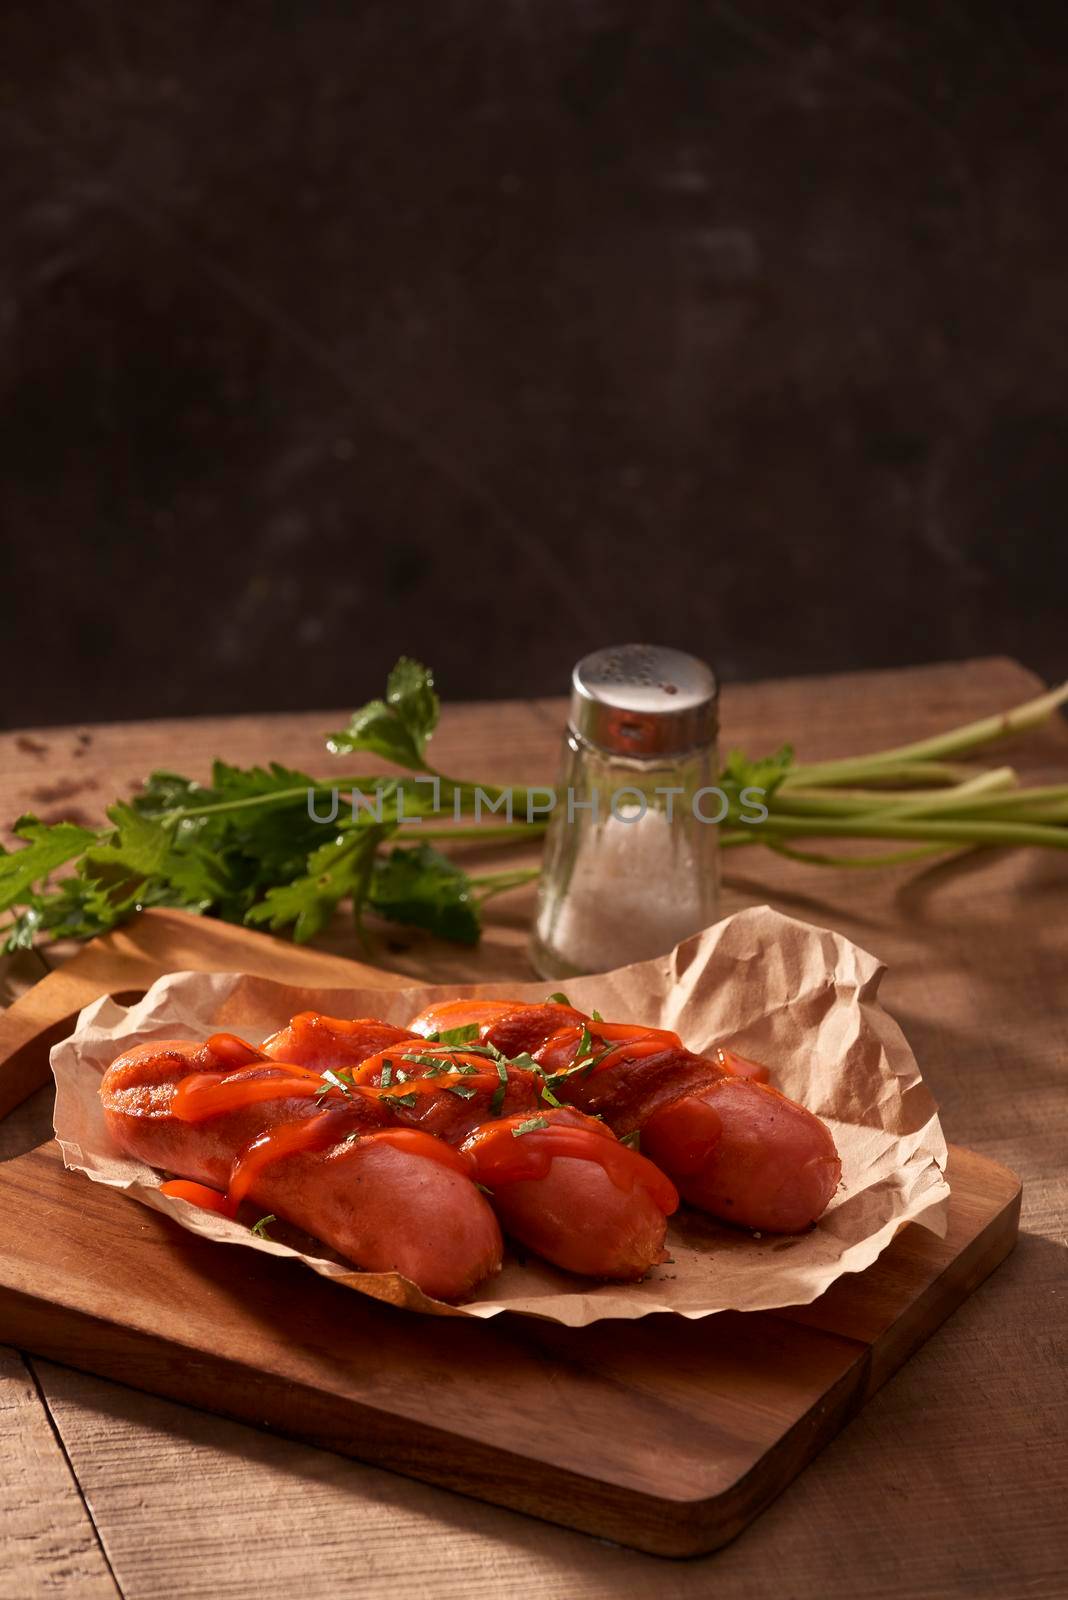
47 1542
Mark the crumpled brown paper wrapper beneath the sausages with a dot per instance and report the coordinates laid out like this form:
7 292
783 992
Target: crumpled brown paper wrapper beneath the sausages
800 999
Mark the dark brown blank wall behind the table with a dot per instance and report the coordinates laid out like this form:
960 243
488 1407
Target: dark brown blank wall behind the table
495 332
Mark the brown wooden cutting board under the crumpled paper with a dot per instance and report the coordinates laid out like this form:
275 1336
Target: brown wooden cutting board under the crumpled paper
663 1434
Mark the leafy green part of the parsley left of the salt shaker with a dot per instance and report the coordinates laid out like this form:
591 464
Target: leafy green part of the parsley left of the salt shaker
245 847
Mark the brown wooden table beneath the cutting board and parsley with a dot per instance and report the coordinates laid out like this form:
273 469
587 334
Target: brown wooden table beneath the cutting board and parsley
952 1482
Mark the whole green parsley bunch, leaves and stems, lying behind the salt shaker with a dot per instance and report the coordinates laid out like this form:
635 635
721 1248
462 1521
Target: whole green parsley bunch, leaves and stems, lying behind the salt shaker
249 849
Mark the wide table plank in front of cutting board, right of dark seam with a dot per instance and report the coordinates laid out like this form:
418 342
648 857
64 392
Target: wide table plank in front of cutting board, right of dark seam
949 1486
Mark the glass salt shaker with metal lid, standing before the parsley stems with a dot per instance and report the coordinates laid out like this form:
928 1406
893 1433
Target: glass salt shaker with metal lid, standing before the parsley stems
631 862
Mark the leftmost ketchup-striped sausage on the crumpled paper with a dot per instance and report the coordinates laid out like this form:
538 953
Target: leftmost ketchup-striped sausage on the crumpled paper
237 1126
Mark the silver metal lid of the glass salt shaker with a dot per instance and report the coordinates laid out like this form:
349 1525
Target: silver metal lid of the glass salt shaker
644 700
